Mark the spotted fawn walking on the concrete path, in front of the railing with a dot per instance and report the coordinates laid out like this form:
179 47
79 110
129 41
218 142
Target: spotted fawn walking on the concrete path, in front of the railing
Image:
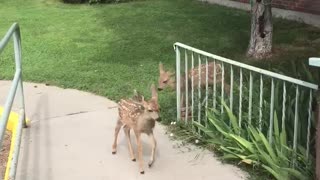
140 116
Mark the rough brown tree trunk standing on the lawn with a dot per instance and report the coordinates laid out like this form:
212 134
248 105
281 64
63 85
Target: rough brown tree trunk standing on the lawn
260 45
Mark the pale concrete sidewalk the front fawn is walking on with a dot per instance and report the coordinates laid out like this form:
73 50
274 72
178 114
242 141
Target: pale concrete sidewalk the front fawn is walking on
71 134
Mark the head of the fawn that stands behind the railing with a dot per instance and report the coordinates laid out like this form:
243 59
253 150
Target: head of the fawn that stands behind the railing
166 78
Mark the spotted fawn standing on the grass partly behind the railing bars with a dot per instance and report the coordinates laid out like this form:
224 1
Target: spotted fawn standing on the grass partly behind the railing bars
168 79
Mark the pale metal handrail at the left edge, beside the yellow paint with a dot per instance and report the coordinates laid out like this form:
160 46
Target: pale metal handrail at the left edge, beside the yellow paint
16 87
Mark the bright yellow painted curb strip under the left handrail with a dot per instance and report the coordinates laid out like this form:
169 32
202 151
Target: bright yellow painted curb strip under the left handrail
12 126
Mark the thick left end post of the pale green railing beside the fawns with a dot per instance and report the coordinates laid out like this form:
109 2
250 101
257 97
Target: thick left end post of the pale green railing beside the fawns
178 89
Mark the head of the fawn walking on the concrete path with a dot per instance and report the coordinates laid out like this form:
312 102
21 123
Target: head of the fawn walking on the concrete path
152 106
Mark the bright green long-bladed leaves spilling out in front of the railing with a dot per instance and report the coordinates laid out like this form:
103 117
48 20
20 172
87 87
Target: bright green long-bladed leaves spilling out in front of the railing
250 146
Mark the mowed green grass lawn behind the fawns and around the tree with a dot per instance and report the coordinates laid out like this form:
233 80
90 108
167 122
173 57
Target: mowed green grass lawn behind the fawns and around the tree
112 49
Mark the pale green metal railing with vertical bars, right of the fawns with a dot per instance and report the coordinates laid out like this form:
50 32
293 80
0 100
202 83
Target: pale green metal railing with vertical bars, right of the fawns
264 86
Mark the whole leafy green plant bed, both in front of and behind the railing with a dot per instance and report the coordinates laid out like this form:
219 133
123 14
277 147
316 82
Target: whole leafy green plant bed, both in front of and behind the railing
246 141
